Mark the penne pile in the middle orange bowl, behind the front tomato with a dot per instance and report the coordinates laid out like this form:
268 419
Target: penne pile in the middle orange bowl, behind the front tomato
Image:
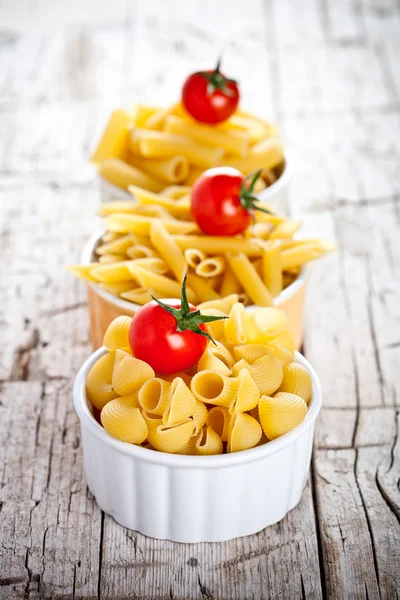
149 246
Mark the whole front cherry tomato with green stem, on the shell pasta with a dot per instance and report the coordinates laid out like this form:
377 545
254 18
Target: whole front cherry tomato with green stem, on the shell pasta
168 336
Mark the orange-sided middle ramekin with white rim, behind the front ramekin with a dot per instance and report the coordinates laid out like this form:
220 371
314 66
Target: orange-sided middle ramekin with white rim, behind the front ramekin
104 307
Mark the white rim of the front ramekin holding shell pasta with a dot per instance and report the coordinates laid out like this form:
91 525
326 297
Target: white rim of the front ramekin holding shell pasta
192 462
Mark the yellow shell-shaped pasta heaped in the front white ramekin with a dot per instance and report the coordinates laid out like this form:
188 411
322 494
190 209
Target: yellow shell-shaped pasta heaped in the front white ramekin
244 391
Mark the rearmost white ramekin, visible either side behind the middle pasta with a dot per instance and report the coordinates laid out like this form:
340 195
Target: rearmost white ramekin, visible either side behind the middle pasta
276 195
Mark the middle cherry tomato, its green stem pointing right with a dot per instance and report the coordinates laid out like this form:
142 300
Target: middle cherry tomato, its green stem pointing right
223 201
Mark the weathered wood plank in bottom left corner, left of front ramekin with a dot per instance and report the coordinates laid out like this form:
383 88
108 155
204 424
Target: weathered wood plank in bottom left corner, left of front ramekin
50 528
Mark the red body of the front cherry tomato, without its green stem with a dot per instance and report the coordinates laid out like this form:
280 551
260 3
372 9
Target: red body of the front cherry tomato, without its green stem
154 338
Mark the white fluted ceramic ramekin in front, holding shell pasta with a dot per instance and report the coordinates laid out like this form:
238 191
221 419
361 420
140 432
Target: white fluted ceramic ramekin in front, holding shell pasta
195 498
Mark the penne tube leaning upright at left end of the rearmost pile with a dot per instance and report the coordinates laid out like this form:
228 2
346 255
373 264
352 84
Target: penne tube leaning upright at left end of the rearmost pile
114 139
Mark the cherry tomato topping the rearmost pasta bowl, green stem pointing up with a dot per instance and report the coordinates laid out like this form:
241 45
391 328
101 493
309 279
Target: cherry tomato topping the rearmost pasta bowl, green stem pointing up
209 97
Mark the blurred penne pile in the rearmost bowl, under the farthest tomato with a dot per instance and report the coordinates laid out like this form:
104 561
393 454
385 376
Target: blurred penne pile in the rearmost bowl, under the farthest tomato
155 147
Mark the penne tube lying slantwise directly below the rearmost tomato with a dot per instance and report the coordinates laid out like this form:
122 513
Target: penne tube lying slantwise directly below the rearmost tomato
236 143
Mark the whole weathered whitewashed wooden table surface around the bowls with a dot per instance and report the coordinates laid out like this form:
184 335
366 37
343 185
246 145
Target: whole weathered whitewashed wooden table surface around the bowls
328 72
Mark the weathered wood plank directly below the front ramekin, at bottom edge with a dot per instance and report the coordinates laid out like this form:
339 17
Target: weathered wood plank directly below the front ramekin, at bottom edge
244 569
